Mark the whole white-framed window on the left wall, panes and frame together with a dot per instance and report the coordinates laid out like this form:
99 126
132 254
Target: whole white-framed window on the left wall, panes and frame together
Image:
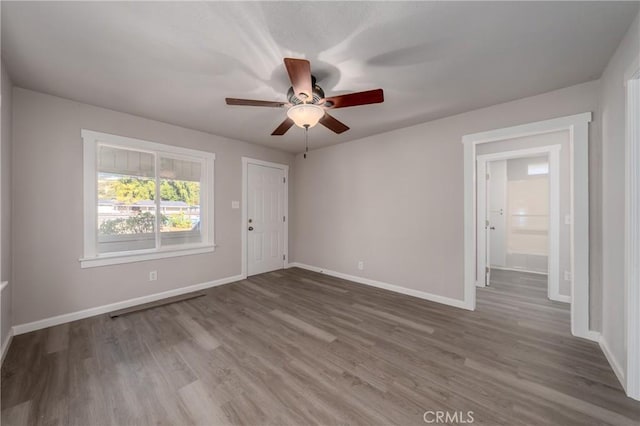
144 200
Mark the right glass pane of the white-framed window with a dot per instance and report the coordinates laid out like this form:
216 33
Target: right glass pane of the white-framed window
180 201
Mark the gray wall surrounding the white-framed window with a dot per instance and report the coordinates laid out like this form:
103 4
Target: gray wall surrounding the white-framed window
47 196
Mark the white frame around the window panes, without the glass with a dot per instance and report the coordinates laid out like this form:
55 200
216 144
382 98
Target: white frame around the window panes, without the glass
91 257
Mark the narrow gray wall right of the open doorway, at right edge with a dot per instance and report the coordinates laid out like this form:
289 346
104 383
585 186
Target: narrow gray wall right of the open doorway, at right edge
613 184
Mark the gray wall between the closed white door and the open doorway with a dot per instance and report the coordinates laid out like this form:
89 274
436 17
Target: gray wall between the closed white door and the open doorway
395 200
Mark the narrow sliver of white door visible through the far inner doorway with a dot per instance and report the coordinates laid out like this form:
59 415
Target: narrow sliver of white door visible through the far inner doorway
496 202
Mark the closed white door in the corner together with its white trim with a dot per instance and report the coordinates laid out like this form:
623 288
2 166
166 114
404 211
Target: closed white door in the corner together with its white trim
264 216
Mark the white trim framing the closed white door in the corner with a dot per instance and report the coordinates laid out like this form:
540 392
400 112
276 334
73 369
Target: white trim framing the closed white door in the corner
243 225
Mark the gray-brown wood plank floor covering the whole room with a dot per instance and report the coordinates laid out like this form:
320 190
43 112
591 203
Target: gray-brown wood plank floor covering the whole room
295 347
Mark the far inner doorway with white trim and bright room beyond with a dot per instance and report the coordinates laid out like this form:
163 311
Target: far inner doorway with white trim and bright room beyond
519 216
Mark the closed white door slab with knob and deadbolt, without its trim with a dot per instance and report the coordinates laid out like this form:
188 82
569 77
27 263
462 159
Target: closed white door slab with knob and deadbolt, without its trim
265 219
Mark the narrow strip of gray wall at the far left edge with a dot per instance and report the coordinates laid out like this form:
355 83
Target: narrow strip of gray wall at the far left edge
5 203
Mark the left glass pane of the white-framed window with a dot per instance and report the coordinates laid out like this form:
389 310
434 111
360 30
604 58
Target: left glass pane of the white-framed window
126 194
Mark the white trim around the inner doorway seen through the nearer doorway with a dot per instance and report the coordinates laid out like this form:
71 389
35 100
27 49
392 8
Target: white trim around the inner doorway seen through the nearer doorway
553 152
